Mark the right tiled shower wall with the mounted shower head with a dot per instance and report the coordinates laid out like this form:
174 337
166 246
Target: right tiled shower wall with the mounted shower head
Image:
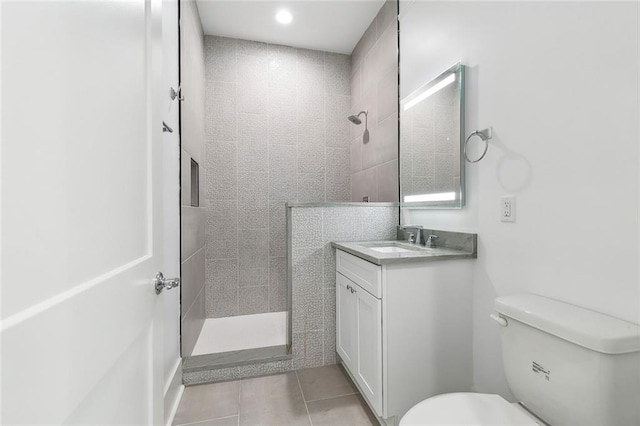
374 87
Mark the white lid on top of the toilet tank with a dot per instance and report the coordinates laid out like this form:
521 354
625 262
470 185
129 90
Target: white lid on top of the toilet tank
583 327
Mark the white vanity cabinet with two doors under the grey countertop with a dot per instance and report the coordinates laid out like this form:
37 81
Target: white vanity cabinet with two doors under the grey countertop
403 330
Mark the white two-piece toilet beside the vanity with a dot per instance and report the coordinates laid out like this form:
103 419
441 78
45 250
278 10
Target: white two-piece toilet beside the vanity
567 365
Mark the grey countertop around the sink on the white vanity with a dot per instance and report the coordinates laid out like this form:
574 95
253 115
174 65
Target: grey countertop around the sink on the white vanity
416 253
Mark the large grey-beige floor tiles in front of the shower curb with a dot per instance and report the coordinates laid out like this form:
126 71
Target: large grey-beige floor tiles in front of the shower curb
310 397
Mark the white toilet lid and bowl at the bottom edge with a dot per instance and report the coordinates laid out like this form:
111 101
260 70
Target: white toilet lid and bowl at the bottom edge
468 409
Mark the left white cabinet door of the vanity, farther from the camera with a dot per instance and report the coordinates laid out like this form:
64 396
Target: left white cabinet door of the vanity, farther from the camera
346 322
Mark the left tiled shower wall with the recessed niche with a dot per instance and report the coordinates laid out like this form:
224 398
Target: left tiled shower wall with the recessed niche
192 148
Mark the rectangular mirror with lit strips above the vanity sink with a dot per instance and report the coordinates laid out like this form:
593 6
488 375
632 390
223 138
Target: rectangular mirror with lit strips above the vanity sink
431 140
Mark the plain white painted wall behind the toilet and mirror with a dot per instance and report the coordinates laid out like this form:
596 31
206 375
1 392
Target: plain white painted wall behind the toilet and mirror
559 84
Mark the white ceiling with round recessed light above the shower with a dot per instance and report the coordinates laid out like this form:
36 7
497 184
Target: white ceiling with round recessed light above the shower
331 26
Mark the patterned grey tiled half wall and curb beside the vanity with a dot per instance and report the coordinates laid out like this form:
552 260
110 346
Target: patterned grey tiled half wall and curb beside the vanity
313 276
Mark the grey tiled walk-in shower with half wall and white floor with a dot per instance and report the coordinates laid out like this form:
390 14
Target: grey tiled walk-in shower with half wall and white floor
274 131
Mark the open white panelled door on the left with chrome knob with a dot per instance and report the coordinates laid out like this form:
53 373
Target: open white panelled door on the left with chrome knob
81 212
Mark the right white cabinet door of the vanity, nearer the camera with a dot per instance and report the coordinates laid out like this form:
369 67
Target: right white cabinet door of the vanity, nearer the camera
369 349
